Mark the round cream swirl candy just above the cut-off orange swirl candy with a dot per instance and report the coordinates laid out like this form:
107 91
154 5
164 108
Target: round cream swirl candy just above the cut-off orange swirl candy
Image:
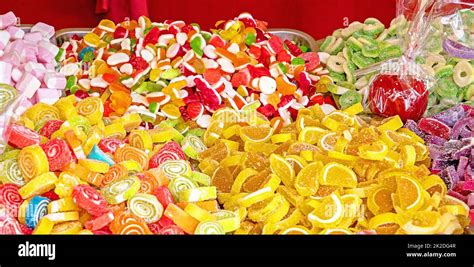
145 206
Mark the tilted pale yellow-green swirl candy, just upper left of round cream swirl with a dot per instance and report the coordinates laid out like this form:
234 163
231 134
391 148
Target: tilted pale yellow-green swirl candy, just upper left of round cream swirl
121 190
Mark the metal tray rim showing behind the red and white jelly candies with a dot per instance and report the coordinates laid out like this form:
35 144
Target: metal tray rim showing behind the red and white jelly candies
299 37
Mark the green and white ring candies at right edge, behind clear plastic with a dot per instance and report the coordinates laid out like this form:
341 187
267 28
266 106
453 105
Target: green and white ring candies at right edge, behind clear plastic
450 63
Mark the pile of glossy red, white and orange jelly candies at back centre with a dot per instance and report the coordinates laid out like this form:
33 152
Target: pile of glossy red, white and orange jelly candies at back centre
177 70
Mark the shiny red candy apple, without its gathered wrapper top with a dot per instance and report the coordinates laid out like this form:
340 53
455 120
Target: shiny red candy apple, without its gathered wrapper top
390 96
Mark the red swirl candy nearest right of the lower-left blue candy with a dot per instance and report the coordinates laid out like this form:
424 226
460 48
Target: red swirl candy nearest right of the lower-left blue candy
89 199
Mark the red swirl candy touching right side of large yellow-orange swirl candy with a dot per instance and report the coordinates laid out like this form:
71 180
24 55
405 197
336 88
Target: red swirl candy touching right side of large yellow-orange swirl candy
58 153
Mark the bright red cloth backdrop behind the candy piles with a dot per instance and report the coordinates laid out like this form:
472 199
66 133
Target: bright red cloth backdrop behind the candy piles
316 17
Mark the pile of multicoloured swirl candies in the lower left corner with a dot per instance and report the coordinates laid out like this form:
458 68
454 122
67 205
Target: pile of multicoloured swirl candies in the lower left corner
70 171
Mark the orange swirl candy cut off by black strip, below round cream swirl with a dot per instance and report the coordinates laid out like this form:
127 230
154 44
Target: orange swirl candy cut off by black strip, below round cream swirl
126 223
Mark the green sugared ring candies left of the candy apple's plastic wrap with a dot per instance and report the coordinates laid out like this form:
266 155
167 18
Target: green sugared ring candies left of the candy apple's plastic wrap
358 46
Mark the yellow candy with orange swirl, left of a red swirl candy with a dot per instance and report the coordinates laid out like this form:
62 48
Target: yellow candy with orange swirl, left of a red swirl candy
32 162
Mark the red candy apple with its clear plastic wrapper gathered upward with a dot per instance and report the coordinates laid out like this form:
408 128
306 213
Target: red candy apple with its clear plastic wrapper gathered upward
401 86
